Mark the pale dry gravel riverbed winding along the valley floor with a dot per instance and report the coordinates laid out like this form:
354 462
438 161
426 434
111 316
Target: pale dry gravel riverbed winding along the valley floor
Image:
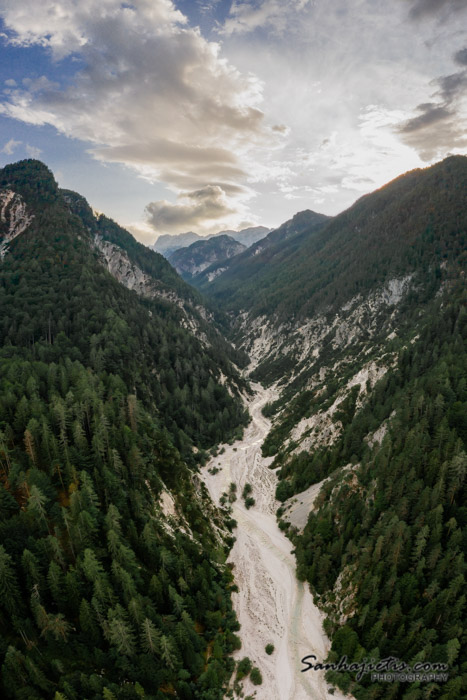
272 606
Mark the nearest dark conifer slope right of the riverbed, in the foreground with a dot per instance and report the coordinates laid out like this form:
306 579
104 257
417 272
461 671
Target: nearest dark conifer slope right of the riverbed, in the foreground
384 546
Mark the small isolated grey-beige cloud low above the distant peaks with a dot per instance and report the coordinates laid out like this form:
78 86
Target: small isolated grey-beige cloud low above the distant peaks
200 207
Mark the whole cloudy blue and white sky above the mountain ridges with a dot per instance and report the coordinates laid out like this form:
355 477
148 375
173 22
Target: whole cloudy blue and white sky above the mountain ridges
204 115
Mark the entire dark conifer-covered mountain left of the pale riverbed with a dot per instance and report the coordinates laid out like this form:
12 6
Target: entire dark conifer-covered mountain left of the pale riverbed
114 380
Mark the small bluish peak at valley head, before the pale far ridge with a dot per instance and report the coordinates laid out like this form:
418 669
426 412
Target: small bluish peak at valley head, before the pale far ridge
195 258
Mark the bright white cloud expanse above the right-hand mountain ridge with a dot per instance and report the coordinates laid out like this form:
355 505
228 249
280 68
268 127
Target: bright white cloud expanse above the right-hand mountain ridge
343 78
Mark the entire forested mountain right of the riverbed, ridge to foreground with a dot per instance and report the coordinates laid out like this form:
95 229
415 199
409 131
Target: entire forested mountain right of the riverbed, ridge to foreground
363 327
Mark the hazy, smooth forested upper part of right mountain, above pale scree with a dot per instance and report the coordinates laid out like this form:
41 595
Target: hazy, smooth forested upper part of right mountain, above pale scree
406 225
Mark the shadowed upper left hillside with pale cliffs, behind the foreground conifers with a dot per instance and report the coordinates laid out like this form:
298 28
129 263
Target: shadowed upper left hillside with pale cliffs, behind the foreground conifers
154 310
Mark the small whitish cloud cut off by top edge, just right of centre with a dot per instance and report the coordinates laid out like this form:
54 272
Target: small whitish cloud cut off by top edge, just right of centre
274 15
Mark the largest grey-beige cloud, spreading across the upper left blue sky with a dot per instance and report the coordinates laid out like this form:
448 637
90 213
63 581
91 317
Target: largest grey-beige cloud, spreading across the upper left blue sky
149 92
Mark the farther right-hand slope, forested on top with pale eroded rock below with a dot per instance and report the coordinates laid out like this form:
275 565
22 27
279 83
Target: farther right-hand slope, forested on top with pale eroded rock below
346 298
